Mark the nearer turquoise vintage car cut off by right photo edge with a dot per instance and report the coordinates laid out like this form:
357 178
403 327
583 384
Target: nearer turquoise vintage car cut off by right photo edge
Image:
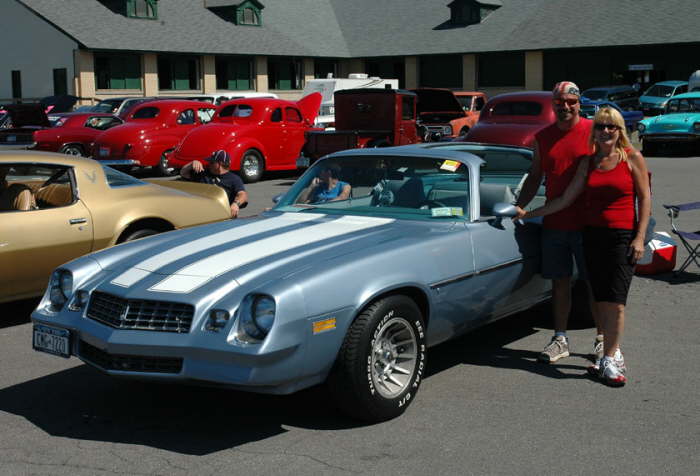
680 123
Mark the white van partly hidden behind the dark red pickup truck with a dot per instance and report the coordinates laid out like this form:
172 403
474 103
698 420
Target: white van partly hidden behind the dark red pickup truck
328 86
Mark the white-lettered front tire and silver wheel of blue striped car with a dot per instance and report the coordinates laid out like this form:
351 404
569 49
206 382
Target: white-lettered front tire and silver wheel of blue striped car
382 361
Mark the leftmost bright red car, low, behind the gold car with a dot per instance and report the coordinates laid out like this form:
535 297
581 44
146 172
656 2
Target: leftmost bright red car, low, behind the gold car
73 133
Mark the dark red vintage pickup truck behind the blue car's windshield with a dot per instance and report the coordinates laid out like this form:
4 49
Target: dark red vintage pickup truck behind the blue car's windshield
365 118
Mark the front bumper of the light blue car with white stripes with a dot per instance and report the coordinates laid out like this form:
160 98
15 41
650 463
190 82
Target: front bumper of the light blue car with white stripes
198 357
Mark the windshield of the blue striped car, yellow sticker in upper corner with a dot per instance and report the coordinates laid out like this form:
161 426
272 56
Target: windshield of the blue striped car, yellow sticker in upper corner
416 188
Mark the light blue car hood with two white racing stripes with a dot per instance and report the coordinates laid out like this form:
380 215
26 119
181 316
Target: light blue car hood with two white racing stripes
200 260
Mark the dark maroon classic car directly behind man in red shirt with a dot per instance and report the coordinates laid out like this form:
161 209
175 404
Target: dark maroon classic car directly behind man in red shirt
513 119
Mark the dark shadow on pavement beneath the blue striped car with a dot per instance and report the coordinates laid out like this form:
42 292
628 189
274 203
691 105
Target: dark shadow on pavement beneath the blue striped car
82 403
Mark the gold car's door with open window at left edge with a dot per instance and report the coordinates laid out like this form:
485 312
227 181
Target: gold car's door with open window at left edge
34 242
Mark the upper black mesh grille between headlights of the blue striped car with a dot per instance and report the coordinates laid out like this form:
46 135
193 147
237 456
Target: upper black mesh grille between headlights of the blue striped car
140 314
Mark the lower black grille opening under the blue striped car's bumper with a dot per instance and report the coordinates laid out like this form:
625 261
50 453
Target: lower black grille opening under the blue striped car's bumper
129 363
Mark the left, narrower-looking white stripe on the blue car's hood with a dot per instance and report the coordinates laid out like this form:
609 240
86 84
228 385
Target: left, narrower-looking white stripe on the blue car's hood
152 264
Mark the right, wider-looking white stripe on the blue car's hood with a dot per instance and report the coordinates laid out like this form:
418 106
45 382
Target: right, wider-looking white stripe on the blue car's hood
195 275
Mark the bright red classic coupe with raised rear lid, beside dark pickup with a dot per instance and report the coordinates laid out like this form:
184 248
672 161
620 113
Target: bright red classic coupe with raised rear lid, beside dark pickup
258 133
